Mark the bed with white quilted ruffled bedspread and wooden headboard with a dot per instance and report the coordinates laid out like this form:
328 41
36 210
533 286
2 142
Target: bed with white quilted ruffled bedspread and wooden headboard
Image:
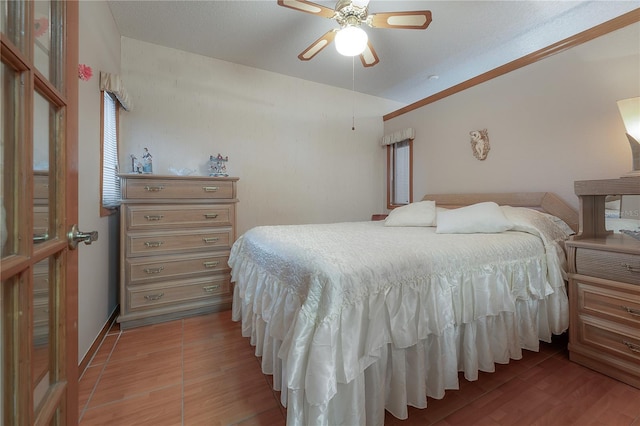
353 319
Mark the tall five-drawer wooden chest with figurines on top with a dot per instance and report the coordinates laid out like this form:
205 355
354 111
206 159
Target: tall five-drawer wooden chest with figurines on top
175 237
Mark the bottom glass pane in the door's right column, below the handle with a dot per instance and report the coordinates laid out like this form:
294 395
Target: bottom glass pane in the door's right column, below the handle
43 273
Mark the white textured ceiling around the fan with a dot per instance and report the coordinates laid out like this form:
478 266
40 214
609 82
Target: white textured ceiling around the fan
465 38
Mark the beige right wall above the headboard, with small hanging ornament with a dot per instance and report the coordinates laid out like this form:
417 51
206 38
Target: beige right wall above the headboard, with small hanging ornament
549 123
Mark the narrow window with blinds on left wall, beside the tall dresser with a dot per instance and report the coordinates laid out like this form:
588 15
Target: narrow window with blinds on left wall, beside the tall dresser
110 188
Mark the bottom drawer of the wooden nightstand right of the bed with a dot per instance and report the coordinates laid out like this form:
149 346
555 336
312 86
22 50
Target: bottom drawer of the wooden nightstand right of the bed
610 338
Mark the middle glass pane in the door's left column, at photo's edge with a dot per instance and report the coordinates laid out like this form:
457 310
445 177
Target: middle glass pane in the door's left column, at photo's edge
8 136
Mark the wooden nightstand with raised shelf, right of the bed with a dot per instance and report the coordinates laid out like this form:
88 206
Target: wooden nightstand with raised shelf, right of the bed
604 286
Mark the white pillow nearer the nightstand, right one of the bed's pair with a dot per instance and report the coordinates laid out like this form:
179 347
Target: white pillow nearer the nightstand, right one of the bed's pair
484 217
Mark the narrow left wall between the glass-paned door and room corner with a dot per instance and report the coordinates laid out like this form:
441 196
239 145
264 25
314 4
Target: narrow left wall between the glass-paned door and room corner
97 275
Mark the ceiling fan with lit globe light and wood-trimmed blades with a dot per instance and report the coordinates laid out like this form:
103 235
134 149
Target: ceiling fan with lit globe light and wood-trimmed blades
350 39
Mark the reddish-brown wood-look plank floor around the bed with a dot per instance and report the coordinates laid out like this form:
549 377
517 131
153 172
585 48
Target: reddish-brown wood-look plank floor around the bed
200 371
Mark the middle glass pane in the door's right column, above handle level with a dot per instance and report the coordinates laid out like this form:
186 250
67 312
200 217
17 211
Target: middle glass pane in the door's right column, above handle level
42 191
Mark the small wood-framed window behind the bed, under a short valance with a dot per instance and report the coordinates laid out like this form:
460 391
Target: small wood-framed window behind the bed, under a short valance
399 173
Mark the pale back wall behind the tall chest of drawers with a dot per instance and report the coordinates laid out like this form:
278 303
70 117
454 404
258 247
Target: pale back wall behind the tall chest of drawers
288 140
